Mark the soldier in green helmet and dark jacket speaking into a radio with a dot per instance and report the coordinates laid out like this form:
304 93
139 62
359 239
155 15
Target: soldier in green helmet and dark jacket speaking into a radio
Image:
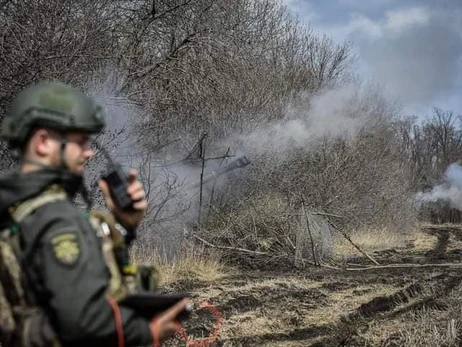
60 277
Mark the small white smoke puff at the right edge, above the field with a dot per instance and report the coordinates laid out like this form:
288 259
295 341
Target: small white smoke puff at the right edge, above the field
450 190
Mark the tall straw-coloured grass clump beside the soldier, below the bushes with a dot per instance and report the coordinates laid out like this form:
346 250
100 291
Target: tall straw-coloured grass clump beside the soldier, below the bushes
193 263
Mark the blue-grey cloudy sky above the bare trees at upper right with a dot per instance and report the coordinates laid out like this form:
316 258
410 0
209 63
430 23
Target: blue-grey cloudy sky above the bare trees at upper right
412 48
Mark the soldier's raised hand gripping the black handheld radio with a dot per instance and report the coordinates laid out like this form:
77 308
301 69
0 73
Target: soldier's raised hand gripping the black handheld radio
129 219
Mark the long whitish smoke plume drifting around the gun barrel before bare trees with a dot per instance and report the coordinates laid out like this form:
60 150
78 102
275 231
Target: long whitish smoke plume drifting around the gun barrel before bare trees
172 187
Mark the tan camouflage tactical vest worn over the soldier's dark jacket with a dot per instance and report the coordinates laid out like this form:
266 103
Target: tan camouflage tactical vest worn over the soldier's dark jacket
16 311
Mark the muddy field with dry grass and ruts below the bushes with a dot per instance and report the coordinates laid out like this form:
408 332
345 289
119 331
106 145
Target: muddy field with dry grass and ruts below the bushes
413 298
